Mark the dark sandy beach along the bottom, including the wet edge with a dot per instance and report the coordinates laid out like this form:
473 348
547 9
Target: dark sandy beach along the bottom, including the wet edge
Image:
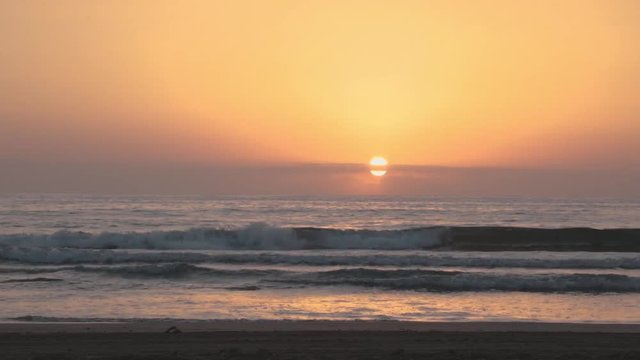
318 340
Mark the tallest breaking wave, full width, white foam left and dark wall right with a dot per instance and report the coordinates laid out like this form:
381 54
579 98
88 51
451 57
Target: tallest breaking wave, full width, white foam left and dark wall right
260 236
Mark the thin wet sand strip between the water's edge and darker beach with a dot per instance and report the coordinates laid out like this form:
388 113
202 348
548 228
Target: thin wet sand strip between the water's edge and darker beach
205 326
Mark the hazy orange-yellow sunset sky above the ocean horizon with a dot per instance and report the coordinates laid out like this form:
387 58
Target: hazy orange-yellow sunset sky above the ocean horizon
220 84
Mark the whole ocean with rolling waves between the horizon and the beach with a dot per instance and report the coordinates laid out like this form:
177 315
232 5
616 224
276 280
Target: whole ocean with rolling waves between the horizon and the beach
110 258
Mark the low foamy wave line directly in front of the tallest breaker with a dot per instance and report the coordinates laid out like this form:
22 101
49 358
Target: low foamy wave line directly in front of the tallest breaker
543 260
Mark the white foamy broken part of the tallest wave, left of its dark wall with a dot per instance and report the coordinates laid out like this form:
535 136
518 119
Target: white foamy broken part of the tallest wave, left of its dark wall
258 236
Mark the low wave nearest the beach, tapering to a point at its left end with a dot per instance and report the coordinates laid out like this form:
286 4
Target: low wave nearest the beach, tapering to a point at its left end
428 280
